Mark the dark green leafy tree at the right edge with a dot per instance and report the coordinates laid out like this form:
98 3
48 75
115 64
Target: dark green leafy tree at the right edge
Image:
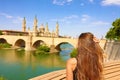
114 32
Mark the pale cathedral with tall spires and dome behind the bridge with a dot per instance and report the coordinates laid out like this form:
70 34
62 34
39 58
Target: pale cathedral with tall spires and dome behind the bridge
42 31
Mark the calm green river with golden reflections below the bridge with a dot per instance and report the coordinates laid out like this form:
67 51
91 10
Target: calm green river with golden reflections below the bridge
23 65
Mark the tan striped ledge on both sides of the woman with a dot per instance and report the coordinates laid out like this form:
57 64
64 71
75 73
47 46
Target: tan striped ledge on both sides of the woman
111 72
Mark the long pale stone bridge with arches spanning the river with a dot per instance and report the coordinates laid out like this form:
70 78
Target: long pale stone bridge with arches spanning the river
31 42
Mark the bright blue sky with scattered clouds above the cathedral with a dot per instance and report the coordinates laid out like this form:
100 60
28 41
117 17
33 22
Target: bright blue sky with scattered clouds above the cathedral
74 16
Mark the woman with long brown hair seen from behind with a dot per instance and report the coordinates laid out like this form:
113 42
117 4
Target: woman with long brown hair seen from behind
88 63
